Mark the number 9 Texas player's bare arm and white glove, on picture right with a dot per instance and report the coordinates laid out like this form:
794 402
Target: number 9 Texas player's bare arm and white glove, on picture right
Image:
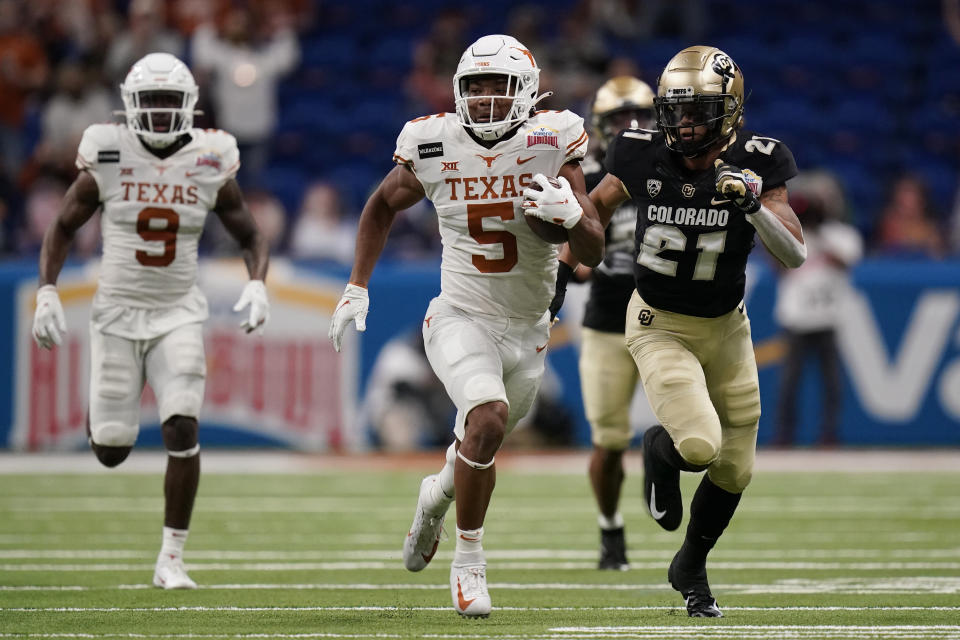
237 220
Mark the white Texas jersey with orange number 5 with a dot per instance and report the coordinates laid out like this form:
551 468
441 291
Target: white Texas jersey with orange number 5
492 262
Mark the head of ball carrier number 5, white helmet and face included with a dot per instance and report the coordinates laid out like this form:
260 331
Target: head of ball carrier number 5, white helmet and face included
495 86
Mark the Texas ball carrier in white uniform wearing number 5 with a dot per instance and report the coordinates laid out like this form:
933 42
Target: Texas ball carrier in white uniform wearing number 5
486 334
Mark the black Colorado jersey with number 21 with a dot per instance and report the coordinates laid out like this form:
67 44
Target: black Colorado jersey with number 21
691 243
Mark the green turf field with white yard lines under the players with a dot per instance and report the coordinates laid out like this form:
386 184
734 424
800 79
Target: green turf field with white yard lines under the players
864 555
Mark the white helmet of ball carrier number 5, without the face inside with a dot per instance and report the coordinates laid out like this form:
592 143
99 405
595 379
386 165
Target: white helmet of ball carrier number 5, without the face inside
498 55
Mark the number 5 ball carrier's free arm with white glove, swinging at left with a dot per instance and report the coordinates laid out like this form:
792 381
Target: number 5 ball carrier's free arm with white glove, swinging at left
398 191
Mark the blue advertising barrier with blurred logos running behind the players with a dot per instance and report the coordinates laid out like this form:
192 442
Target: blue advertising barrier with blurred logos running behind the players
899 342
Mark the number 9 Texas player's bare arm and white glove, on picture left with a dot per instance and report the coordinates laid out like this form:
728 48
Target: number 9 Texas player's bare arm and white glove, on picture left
79 204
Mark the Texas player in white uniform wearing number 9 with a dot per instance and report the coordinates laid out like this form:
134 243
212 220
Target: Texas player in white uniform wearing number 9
156 178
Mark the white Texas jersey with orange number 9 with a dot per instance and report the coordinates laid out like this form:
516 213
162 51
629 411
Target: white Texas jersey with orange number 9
153 214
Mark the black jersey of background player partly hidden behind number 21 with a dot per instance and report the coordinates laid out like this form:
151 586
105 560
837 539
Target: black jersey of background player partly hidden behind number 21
611 284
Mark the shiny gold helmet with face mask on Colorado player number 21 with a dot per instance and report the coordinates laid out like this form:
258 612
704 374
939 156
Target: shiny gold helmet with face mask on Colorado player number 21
699 100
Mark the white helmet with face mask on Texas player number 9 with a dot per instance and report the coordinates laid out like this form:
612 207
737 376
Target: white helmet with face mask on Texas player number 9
159 95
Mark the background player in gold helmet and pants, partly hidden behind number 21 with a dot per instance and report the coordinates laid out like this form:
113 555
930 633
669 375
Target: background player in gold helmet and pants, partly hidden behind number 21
608 375
